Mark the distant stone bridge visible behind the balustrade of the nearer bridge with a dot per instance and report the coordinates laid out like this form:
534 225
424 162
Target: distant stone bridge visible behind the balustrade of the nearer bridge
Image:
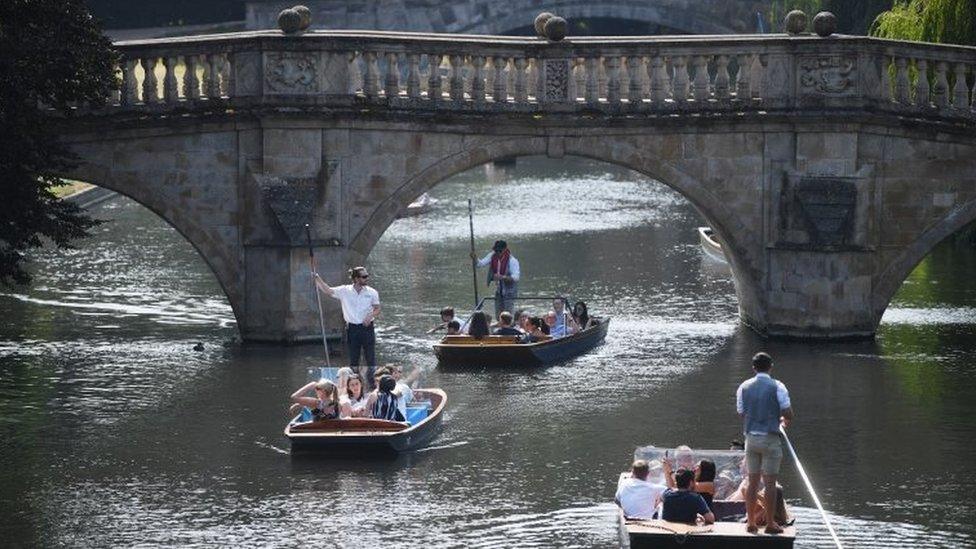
493 17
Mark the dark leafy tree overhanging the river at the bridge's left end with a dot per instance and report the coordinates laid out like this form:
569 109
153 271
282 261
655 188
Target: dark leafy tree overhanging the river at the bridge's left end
53 54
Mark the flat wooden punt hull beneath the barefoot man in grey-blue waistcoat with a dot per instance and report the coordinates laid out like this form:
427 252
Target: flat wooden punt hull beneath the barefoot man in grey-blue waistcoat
645 534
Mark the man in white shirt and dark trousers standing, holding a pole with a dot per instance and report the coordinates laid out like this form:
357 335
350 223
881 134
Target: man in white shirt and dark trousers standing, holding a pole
360 307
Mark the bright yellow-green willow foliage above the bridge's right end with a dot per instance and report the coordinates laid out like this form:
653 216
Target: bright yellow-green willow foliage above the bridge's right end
940 21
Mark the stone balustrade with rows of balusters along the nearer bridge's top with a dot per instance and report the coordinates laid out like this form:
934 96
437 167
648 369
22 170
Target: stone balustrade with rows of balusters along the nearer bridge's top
668 75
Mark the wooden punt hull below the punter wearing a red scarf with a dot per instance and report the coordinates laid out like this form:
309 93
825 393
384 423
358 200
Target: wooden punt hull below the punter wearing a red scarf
464 350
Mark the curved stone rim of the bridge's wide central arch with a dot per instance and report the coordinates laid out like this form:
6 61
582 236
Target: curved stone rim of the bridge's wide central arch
742 260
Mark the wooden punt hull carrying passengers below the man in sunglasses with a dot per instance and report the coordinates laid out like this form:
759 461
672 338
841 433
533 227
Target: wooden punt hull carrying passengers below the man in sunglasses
366 437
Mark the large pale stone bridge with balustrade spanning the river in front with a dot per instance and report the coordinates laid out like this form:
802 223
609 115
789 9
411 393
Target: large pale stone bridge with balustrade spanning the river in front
827 167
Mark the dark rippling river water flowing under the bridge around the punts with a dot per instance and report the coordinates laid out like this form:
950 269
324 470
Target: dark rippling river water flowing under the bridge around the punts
116 432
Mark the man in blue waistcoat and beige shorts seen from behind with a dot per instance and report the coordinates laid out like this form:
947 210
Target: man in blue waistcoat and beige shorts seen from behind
763 403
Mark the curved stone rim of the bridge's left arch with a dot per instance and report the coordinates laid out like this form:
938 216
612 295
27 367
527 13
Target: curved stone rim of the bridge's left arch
209 249
